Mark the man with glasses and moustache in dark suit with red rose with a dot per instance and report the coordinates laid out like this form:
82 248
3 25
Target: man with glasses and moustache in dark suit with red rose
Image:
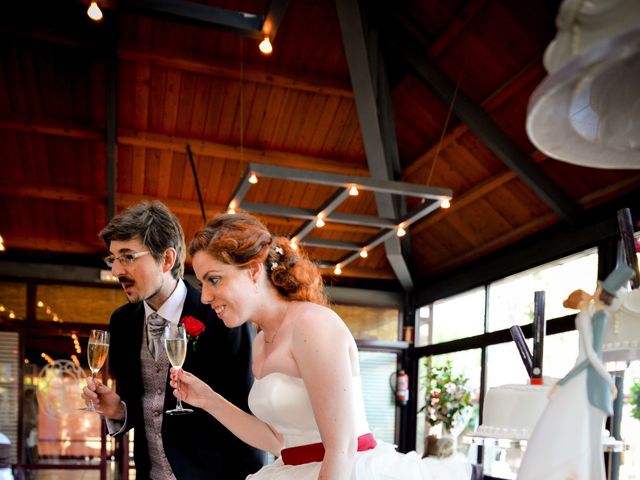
146 254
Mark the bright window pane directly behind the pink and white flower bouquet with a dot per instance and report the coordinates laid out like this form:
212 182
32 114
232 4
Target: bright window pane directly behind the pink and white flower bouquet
467 363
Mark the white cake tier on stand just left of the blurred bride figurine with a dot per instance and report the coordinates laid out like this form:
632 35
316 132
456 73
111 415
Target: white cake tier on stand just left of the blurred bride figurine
511 411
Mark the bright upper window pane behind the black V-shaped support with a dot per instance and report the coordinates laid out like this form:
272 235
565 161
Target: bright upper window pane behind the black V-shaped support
511 299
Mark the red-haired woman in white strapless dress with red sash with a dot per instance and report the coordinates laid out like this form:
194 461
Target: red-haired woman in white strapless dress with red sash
306 400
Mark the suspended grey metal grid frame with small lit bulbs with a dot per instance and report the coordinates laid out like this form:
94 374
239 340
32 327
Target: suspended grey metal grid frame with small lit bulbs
432 199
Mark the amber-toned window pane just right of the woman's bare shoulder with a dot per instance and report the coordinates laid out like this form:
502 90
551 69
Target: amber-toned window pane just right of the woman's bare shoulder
367 323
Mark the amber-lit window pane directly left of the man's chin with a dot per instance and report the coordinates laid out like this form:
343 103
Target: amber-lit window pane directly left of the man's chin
64 303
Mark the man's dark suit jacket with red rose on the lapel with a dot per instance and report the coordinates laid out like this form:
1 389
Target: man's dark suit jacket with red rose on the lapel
197 446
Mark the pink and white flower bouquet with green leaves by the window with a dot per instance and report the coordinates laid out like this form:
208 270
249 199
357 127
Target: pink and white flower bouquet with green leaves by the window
447 395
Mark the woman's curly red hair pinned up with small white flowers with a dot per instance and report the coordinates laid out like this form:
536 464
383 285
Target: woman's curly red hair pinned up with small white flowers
240 239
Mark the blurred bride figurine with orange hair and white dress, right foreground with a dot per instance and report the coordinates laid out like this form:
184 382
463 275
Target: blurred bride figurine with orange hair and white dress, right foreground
566 443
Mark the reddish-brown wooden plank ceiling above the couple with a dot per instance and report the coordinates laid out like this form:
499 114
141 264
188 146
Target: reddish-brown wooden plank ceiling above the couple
459 76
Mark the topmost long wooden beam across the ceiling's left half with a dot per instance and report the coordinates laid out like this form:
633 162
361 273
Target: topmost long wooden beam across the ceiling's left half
231 70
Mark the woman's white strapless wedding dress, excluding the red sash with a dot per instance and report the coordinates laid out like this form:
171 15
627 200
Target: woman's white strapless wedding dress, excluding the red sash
283 402
